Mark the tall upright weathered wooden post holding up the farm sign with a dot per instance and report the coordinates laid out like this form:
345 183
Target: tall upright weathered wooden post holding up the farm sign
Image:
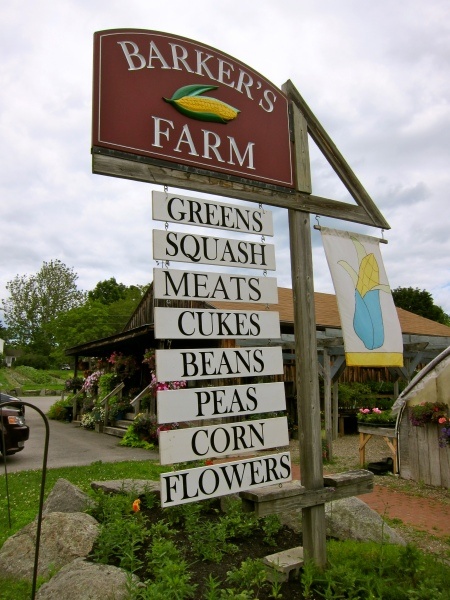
307 376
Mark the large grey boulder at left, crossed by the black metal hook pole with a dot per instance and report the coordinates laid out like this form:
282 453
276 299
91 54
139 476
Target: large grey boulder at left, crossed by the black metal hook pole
64 537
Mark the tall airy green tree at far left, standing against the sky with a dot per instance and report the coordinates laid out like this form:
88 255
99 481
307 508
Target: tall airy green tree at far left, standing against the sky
35 301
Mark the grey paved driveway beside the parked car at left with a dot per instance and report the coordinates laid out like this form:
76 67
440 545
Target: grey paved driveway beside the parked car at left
69 445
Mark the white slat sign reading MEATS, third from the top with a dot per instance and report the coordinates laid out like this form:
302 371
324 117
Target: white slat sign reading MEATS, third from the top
178 284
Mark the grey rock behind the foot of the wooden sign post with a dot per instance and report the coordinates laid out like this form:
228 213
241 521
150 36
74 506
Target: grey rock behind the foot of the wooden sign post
350 518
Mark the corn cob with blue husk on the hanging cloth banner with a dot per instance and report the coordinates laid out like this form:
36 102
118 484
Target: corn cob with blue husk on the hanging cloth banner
368 318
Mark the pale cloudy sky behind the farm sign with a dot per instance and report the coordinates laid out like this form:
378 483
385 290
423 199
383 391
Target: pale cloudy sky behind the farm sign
376 75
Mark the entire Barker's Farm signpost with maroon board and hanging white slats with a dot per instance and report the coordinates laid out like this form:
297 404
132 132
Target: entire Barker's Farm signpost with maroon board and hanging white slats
174 112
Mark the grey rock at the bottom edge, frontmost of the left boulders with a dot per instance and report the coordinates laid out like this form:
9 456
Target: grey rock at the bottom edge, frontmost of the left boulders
81 580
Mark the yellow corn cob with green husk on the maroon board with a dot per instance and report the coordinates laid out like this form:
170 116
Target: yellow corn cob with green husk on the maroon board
188 101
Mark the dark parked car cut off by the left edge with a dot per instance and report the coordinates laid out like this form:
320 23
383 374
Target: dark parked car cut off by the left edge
13 430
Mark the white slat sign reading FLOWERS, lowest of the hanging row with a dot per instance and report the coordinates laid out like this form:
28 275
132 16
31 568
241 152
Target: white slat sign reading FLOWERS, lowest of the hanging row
211 481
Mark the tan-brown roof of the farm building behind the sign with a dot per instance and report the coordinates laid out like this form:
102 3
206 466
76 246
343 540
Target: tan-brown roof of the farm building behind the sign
327 314
